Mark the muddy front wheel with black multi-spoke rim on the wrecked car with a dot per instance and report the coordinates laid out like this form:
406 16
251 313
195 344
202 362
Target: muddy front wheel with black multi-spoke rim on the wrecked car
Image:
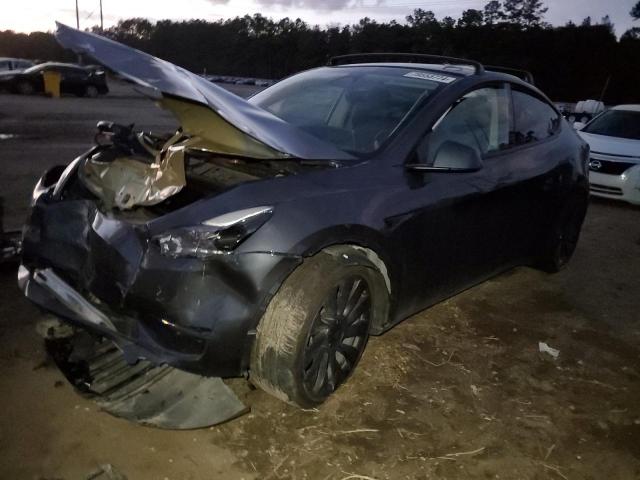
305 348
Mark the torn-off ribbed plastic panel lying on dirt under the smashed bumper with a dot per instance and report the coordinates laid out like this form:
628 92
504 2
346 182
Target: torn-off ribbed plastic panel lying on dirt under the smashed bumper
158 396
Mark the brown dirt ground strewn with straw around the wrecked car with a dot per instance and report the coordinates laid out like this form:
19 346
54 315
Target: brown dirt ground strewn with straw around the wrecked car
458 391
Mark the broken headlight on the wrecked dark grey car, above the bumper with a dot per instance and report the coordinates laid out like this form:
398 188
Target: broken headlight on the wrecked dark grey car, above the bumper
216 236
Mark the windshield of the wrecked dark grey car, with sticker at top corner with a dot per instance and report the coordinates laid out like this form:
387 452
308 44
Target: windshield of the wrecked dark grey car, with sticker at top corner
354 108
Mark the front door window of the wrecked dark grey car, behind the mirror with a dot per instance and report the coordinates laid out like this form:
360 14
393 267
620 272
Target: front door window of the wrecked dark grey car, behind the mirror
479 120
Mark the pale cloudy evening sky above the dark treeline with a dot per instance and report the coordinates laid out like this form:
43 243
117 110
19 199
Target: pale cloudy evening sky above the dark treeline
30 15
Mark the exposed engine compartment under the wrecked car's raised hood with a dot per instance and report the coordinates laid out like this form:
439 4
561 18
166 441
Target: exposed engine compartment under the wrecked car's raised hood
128 174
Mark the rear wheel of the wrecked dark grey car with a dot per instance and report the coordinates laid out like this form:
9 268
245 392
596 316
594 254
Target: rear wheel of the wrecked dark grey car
564 235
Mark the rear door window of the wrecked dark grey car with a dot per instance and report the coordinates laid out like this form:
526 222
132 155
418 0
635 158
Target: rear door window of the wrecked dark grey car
534 119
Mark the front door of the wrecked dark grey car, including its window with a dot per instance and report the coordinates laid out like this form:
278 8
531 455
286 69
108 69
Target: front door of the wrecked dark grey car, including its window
454 235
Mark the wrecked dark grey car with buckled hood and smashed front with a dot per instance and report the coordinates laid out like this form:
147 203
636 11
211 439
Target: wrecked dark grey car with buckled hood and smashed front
272 236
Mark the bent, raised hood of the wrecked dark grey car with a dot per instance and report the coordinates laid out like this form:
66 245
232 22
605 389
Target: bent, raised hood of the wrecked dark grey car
237 127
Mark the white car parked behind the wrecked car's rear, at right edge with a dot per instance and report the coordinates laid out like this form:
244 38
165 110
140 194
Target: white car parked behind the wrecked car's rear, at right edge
614 166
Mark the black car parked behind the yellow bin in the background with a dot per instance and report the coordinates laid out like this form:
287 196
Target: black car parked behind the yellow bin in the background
75 80
